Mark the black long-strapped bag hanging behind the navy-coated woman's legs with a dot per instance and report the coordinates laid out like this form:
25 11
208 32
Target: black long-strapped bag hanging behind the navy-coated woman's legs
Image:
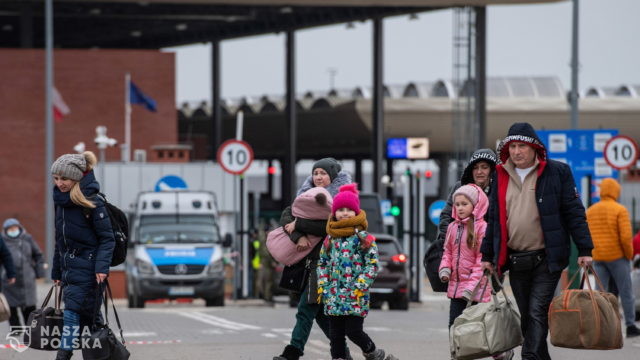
102 343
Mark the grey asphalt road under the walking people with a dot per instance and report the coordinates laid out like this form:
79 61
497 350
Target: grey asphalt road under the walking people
251 330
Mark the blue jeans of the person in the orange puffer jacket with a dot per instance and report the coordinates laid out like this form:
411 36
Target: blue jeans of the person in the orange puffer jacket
620 271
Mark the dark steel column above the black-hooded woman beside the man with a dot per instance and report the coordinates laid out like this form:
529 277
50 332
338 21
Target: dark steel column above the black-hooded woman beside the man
481 76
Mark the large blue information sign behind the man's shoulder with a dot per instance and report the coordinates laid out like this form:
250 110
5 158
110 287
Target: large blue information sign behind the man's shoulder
582 150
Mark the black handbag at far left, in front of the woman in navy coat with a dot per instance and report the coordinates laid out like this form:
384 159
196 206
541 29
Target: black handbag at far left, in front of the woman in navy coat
45 324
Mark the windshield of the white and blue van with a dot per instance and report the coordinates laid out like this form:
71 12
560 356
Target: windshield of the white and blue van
159 229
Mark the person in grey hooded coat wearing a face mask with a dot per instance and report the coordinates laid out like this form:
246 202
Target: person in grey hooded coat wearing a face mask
29 265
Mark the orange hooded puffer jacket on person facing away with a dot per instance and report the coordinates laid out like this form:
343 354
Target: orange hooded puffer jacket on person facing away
609 225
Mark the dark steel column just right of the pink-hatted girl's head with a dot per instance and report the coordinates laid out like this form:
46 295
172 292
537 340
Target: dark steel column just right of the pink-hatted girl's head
377 112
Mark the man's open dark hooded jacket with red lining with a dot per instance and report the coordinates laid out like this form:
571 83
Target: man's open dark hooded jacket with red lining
562 215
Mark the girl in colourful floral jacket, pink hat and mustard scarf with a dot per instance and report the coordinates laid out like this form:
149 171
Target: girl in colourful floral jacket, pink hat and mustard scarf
347 267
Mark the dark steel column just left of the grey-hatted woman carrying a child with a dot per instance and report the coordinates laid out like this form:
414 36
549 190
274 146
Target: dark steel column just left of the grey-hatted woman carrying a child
289 165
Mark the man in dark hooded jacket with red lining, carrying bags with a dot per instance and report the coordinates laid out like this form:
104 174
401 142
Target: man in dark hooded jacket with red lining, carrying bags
534 210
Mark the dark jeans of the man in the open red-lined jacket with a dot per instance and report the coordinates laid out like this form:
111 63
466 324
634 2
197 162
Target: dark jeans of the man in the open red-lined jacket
534 291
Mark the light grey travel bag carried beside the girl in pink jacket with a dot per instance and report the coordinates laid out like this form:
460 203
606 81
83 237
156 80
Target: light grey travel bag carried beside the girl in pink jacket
486 329
